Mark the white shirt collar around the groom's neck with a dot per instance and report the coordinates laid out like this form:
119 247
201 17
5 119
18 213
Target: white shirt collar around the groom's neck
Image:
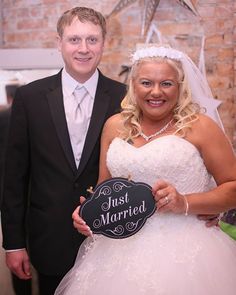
69 84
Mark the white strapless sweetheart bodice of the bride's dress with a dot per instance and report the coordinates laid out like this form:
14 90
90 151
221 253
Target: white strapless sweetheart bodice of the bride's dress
170 157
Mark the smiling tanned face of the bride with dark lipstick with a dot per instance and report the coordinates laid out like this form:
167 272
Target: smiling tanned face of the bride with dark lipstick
156 89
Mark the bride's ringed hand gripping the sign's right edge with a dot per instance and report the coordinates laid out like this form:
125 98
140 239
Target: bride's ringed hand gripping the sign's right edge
167 198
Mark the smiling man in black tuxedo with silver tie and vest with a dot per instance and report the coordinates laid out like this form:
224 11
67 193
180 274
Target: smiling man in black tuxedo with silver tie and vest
53 152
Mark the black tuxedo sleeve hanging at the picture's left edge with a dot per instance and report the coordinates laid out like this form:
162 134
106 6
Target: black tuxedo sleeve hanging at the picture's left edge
16 178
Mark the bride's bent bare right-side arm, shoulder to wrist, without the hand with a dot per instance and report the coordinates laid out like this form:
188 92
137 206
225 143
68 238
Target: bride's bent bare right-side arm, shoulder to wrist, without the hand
220 162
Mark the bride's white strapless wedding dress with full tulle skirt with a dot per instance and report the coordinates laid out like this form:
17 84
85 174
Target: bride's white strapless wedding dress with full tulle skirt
172 254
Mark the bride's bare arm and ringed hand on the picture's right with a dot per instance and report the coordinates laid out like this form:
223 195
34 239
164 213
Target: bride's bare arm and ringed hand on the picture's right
220 162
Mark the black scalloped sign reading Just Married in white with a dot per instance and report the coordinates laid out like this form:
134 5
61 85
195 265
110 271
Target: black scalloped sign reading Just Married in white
118 208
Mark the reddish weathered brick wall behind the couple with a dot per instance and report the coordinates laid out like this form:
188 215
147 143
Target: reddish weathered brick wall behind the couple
31 24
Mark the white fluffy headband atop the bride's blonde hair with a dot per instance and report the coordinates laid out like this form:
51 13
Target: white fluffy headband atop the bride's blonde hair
153 51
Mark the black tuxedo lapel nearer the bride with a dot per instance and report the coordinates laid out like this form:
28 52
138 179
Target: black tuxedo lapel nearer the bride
101 104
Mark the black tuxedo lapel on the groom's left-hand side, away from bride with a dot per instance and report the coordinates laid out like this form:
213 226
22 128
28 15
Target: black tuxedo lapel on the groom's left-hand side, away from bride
55 101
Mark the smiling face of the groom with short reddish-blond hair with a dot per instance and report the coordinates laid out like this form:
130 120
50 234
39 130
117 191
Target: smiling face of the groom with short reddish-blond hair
81 46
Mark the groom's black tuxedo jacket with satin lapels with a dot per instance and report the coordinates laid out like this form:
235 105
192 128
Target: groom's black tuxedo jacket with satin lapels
41 177
